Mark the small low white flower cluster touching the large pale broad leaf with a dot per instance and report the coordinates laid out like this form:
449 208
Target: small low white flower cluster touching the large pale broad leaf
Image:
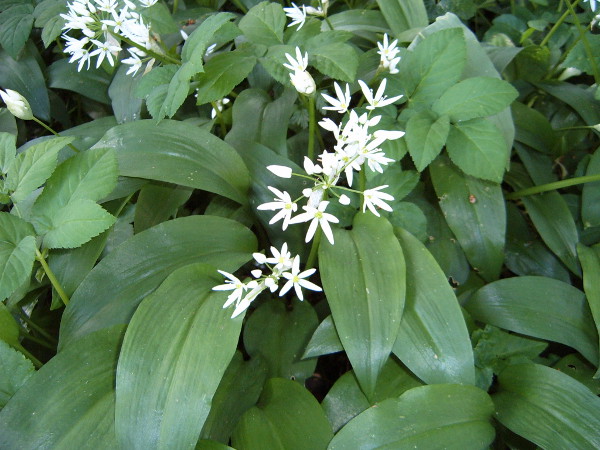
281 266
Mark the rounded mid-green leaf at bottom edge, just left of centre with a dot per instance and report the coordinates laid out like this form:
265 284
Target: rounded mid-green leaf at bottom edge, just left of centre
287 417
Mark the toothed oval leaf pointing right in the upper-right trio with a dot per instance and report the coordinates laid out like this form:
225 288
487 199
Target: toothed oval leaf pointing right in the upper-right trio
475 97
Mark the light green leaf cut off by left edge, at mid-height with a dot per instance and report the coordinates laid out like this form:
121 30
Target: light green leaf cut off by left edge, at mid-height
17 253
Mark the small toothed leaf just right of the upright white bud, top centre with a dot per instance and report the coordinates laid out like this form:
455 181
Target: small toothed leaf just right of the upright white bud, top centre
336 60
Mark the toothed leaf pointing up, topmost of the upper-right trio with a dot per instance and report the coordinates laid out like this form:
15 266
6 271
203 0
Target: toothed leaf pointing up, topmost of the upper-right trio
434 65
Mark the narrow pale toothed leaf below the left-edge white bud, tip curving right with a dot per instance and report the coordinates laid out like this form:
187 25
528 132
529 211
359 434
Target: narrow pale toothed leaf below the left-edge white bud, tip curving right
31 168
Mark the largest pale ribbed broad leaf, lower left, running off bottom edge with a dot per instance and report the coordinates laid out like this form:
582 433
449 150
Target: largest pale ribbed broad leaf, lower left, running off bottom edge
177 346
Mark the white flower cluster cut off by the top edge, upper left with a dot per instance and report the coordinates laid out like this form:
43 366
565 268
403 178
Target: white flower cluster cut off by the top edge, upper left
102 24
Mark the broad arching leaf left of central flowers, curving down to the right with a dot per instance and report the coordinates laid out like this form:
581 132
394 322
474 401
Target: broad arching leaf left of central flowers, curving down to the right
179 153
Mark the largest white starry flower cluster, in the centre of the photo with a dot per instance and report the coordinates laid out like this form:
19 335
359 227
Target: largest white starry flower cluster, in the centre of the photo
355 147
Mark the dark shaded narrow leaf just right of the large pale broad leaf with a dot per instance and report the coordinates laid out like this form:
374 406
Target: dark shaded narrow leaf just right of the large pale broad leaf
238 391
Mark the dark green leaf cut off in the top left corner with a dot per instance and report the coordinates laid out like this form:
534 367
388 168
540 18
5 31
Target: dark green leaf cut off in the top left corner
15 25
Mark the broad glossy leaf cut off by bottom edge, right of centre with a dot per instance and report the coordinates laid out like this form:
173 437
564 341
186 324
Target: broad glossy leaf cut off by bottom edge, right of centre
442 415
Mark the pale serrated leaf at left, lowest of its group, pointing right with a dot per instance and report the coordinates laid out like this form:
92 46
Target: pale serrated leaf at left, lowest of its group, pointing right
75 224
